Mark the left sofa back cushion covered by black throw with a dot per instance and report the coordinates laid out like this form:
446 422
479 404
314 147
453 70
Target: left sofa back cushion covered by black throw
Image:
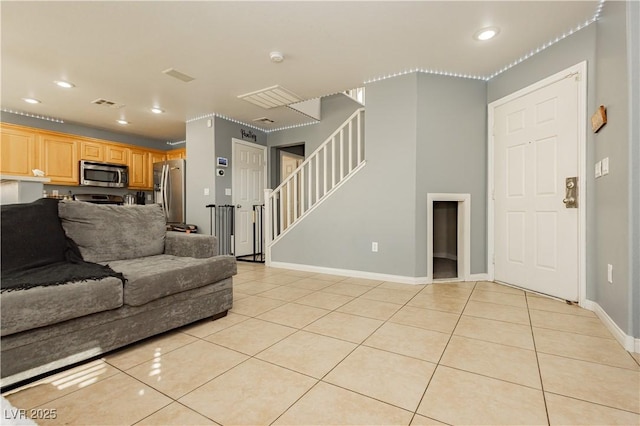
31 235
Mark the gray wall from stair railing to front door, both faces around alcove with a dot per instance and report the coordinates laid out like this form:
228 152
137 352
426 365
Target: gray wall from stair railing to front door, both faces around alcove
414 145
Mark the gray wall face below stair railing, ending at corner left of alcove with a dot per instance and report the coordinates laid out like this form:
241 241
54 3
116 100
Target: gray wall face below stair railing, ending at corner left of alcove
377 204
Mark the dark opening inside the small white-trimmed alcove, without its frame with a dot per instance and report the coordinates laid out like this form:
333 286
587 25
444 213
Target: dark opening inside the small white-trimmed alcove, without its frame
445 239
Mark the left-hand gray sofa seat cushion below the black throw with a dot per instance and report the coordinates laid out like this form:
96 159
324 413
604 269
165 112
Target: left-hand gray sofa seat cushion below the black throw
40 306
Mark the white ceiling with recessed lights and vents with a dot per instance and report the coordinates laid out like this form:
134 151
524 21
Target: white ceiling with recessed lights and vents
118 50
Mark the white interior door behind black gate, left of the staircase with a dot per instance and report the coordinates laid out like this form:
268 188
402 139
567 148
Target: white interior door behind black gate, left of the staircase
248 168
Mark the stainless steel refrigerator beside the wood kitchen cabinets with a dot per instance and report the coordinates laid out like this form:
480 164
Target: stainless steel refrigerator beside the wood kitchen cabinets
169 187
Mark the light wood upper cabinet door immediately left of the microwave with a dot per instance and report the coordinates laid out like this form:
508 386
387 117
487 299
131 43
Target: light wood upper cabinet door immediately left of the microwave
59 158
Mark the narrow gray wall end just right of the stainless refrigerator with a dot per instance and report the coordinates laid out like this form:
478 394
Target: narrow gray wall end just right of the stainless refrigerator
201 157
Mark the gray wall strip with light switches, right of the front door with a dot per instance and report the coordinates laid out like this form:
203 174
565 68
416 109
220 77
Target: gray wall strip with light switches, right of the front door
612 205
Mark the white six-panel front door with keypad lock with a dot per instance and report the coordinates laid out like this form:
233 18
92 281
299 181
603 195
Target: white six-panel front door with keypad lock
535 150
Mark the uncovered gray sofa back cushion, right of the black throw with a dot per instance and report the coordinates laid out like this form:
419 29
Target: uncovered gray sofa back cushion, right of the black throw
110 232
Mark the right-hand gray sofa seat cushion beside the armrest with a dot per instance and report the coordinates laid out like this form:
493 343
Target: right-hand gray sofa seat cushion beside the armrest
153 277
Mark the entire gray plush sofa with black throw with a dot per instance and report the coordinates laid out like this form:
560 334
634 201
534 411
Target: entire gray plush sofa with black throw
122 278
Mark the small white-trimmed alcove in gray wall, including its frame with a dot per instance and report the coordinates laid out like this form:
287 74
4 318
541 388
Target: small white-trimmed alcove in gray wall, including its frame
448 237
